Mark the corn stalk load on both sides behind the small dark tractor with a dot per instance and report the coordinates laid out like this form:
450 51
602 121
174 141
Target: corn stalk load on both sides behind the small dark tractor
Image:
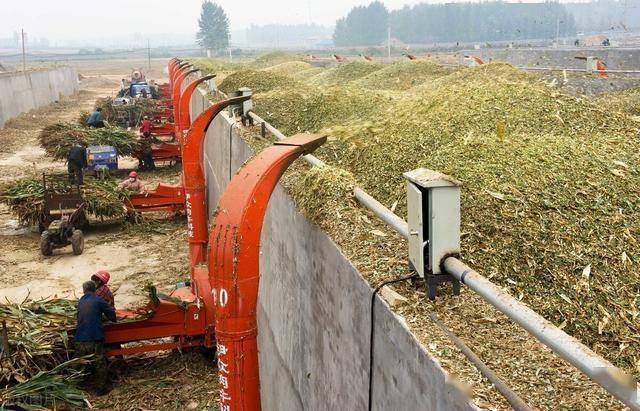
25 197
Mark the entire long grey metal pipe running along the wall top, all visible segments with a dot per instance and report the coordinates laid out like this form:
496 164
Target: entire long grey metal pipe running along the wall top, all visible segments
618 383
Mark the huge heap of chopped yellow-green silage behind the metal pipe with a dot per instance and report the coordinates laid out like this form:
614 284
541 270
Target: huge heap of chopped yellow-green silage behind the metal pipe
551 195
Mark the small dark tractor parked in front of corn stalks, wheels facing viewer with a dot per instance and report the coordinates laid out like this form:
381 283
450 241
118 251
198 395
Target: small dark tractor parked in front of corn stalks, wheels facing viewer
62 217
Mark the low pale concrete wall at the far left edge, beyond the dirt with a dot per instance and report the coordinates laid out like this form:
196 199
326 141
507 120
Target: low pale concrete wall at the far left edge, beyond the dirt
21 92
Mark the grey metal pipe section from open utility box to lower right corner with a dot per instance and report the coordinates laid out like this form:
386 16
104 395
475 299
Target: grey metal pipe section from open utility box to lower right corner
614 380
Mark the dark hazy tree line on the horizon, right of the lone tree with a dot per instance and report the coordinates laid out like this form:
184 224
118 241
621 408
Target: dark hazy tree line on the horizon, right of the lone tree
454 22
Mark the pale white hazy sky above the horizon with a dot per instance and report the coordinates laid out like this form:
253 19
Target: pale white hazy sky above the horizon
78 19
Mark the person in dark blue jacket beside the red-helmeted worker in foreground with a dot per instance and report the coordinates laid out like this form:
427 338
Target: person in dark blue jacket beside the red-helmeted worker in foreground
89 337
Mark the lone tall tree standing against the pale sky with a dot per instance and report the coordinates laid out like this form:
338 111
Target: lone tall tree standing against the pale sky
214 27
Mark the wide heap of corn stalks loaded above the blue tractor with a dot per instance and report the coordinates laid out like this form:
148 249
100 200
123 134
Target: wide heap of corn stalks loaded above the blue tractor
57 139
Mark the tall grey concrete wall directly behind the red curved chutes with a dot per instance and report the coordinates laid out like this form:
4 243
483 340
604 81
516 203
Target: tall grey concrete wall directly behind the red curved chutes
314 313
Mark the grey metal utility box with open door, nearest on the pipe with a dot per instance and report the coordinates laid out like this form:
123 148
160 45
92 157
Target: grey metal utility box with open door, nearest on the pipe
433 205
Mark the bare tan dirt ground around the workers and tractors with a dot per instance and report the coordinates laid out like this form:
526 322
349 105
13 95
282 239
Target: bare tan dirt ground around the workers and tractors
154 251
